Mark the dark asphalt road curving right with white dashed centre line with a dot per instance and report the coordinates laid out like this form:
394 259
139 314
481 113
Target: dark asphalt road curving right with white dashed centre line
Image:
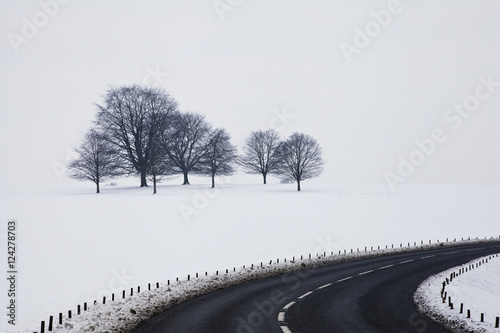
370 295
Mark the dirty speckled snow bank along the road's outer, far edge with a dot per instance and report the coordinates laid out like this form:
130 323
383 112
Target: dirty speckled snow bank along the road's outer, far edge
124 315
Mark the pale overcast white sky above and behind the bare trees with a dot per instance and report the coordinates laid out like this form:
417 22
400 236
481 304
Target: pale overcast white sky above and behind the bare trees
263 57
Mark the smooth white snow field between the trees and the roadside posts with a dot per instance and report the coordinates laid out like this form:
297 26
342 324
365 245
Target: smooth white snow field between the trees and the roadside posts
75 246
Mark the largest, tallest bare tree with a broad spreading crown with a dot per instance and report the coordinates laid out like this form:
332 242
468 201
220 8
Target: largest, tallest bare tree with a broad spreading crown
133 117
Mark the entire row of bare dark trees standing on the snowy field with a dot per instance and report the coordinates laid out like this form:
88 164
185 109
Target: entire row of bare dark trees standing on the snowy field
139 130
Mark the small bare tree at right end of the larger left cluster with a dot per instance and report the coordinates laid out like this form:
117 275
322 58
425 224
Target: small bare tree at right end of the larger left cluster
220 155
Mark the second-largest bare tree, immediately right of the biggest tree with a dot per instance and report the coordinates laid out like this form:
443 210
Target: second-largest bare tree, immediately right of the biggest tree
186 144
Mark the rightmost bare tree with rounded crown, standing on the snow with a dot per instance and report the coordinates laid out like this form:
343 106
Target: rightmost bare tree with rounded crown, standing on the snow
300 157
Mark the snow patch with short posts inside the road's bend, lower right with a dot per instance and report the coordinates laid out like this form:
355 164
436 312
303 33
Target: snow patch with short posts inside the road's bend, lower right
476 284
